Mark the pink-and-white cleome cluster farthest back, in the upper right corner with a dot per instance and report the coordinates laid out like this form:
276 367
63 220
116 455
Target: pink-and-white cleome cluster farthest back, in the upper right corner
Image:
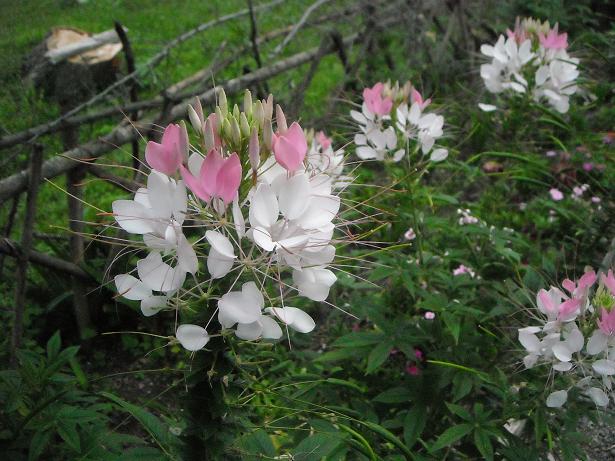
531 60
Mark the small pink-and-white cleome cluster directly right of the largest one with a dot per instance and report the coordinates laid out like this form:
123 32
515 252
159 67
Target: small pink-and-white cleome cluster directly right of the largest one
394 121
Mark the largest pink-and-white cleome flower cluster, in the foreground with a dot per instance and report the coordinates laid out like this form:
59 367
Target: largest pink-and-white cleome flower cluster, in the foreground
251 213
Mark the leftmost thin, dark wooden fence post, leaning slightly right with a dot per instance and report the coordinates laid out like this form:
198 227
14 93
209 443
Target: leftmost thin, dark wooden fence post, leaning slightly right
36 161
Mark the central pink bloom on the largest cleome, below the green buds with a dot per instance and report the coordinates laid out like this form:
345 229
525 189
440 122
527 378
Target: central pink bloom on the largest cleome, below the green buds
219 177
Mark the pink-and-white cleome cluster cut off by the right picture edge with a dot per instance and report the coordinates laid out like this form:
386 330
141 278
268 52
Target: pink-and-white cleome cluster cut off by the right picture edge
576 337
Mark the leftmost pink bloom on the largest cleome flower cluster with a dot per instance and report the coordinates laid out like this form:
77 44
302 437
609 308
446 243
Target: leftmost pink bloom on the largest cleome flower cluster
167 156
